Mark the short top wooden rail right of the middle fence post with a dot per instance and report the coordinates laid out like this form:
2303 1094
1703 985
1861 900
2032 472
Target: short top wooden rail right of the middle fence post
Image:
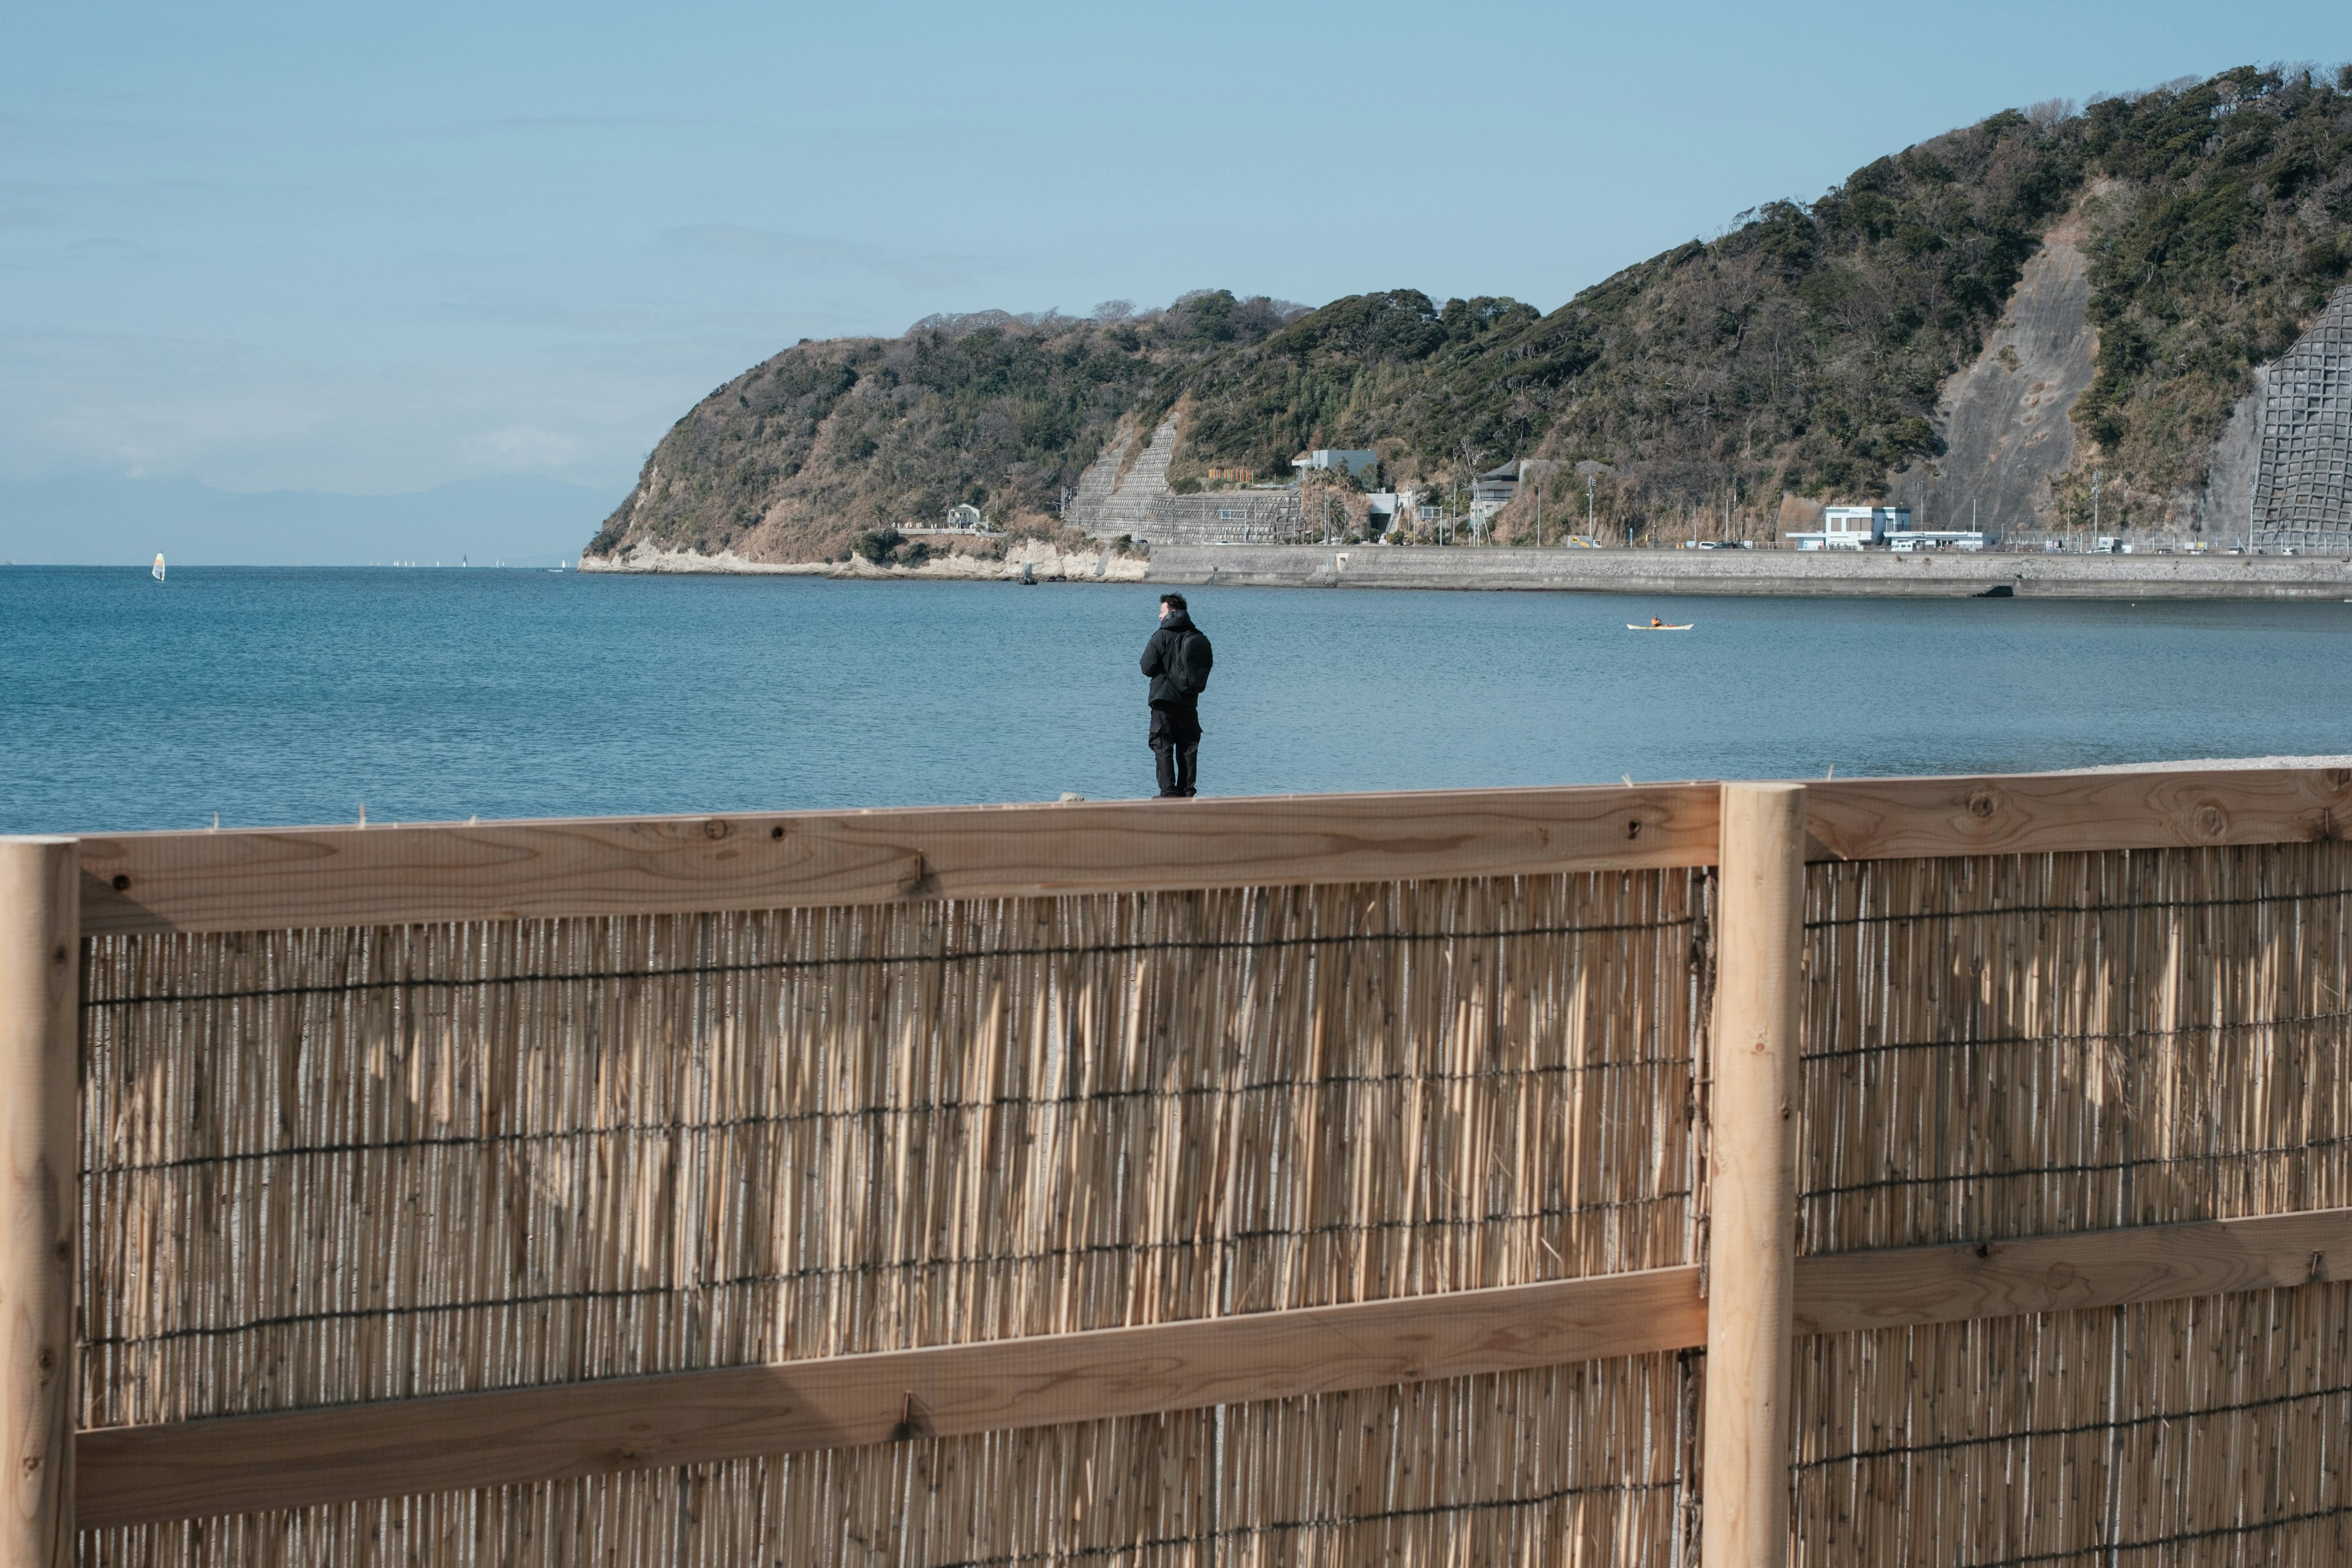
1892 819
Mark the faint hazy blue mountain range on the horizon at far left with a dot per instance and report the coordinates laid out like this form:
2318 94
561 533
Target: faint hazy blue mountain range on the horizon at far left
114 521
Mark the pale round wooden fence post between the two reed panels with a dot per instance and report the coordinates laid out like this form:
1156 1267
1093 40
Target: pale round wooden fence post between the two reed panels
1753 1179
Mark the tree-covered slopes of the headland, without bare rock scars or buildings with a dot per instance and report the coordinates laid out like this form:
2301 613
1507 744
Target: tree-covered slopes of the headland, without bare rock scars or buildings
1803 351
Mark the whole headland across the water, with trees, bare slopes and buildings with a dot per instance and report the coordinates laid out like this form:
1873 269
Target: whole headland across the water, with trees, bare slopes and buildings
2130 323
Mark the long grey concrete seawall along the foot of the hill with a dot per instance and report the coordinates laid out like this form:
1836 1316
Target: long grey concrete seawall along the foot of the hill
1763 572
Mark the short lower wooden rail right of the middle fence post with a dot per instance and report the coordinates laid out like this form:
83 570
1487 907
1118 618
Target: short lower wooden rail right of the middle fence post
1946 1285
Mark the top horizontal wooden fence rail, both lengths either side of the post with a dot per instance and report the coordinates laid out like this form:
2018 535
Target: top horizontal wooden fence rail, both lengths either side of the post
267 878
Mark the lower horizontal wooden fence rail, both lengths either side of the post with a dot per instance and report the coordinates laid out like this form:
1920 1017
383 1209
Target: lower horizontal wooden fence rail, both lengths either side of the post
253 1463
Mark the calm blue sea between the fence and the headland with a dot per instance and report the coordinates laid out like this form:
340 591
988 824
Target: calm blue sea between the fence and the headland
295 697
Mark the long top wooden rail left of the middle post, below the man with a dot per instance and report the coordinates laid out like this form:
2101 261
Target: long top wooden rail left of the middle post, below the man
255 880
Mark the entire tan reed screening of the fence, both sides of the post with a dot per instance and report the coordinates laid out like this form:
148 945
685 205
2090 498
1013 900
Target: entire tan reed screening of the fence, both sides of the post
363 1165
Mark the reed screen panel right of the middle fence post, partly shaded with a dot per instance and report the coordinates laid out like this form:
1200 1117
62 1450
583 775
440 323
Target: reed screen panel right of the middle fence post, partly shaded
2052 1045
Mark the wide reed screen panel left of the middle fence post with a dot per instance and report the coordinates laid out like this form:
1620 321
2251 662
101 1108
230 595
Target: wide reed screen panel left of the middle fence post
359 1165
